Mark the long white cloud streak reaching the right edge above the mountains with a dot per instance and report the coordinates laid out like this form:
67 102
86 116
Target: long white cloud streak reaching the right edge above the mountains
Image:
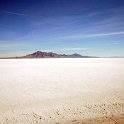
93 35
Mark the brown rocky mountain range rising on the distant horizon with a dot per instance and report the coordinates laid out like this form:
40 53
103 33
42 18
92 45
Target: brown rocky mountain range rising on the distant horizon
40 54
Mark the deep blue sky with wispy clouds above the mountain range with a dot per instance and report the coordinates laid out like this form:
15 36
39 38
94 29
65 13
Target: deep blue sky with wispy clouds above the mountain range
87 27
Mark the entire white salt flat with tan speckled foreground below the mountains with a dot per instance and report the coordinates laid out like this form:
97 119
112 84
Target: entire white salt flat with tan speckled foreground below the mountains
62 91
